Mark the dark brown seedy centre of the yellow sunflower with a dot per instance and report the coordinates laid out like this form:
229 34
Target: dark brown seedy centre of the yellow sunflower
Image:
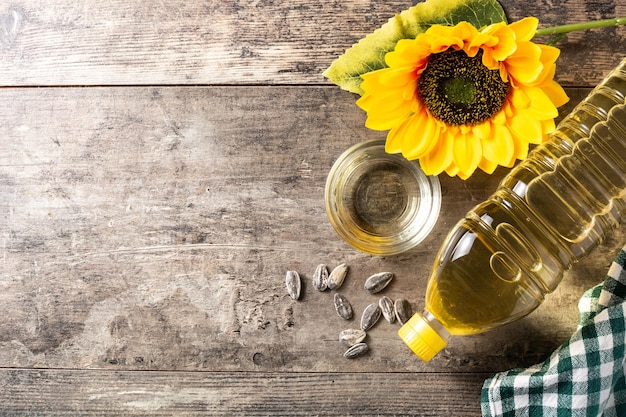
460 90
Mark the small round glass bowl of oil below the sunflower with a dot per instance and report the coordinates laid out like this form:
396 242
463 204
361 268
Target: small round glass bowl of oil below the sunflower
381 203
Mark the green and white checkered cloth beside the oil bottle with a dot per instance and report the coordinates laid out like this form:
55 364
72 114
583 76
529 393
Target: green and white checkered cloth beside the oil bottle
586 375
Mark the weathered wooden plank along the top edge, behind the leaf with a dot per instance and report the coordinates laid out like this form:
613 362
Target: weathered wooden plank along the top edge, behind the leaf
122 42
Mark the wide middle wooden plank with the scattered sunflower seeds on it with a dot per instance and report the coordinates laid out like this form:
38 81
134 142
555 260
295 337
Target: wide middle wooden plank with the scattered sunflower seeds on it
141 229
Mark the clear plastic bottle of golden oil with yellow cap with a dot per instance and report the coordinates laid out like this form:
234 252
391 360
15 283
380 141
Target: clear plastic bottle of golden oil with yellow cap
555 207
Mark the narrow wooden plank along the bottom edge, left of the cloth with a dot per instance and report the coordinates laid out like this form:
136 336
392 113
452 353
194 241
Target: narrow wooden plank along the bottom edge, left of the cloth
98 393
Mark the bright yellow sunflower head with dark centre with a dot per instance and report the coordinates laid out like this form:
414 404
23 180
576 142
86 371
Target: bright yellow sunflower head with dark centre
458 98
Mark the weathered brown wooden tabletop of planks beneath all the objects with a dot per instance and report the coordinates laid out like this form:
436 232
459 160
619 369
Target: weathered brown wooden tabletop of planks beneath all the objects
162 165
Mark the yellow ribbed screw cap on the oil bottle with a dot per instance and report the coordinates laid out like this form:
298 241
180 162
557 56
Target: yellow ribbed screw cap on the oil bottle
423 340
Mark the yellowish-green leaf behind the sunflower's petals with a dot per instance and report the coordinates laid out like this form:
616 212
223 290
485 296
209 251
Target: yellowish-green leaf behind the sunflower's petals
369 53
